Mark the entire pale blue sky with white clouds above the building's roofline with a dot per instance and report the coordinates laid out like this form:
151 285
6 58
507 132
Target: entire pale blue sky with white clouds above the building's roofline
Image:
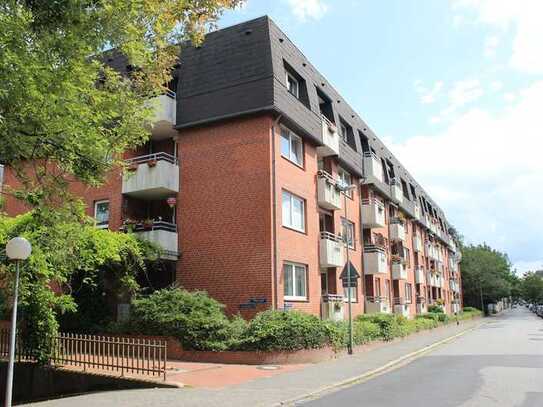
455 90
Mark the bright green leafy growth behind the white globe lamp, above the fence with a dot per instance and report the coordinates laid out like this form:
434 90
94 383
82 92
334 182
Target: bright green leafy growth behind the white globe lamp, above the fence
64 245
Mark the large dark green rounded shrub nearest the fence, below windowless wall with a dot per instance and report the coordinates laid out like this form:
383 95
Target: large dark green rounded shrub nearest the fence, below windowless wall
194 318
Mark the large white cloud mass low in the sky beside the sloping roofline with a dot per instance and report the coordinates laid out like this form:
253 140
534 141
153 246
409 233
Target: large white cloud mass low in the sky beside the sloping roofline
485 170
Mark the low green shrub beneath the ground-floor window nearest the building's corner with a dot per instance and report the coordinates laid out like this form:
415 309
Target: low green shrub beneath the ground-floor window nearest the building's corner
286 330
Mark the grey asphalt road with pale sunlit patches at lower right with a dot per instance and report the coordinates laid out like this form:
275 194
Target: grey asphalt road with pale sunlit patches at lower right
500 364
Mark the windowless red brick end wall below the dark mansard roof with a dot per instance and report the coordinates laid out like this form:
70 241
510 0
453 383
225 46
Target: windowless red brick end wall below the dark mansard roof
224 212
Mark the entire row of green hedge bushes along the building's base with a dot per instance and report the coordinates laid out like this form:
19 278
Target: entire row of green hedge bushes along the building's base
199 322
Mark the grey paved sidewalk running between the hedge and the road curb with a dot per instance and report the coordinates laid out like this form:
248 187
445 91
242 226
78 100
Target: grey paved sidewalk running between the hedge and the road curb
276 389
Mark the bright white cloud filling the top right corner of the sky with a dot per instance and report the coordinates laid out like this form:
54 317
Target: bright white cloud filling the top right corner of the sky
524 17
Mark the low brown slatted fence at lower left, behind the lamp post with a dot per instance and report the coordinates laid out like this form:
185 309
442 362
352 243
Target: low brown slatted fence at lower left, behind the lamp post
125 355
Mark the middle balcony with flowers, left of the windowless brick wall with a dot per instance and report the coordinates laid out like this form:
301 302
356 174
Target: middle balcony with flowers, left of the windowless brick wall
153 176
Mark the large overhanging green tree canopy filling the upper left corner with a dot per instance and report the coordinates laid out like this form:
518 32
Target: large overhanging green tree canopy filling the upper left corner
62 108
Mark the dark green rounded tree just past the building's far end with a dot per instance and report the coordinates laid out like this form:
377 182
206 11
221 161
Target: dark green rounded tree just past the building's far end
486 275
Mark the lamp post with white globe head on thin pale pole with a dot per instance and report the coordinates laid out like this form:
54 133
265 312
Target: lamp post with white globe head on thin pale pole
17 249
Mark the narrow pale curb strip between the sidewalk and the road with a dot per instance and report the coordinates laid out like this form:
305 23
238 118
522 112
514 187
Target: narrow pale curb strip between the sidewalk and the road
375 372
